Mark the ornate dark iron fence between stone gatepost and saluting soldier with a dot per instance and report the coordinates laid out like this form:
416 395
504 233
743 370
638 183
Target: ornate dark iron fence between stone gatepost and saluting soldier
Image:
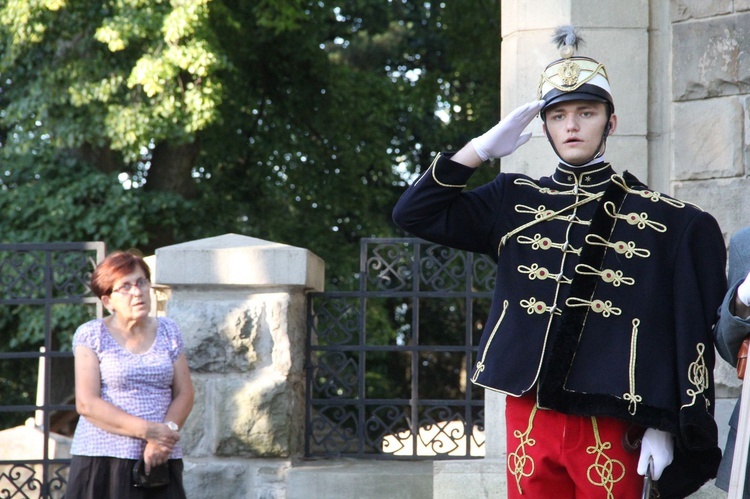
387 365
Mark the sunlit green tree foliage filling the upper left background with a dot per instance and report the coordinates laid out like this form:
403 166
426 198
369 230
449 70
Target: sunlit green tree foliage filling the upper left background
288 120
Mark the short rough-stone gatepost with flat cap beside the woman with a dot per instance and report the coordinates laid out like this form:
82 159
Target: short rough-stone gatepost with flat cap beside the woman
240 303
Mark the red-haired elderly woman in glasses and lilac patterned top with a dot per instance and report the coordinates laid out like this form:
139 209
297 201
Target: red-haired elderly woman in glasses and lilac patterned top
133 392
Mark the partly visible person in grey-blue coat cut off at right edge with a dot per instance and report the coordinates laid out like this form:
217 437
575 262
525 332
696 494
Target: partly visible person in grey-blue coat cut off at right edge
733 326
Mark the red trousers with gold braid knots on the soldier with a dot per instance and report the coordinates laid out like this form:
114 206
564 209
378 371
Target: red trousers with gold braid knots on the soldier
551 454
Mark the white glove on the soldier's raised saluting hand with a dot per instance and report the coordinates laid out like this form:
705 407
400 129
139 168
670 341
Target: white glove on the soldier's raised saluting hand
505 137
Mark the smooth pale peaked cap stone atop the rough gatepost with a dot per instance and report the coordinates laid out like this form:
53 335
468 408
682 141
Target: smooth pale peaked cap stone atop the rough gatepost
237 260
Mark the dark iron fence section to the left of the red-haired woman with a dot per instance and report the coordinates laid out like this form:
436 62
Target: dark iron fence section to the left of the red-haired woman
43 294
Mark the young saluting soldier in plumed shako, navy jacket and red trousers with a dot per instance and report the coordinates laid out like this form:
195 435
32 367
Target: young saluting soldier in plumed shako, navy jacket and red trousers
600 330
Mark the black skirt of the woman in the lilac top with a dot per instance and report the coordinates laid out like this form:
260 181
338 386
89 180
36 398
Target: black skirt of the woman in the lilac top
112 478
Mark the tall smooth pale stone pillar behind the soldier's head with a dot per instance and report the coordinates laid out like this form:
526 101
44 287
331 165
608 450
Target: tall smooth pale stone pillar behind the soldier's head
616 34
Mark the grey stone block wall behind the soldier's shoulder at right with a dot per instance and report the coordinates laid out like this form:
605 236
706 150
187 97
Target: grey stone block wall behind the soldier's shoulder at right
711 85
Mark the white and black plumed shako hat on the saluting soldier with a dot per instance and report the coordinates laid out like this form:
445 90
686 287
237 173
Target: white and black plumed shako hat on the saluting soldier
573 77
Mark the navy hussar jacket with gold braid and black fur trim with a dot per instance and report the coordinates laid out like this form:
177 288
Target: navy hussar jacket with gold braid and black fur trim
605 297
